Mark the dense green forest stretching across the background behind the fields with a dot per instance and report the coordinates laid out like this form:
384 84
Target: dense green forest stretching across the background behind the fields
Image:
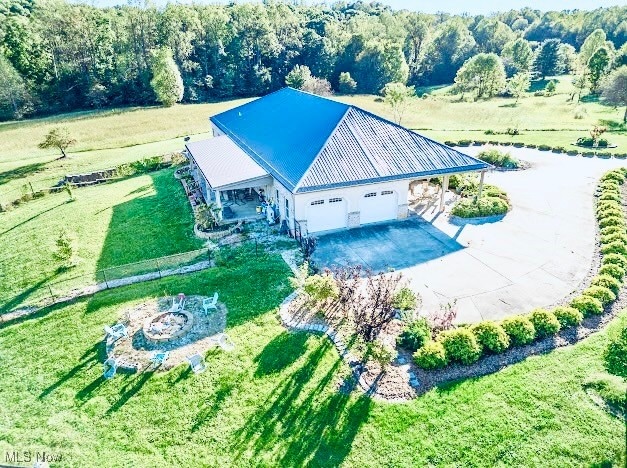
56 56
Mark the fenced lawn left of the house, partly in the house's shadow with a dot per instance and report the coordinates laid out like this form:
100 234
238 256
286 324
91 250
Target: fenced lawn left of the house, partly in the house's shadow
113 224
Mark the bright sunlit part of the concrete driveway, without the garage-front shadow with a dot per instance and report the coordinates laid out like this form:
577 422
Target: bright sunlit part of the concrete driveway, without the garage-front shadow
539 253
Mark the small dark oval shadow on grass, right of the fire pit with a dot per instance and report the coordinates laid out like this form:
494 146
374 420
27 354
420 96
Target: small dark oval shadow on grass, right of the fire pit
283 350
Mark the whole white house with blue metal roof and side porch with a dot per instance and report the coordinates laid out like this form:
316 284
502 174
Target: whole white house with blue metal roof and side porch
317 164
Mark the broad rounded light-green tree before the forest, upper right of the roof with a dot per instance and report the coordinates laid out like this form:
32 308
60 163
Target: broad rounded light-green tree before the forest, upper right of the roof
484 74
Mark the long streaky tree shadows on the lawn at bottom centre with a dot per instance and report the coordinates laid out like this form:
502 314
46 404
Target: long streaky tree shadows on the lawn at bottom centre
303 421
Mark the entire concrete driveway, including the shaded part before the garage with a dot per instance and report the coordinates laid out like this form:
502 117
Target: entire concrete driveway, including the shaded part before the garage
540 252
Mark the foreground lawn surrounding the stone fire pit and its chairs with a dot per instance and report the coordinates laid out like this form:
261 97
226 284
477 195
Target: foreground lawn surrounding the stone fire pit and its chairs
274 400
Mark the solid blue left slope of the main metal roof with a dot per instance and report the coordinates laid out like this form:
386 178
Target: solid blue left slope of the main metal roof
283 131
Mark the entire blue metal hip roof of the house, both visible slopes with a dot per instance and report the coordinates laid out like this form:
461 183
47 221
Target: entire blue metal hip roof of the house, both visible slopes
310 143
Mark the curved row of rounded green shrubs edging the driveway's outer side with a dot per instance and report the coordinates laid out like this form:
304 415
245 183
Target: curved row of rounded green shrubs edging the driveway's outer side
466 345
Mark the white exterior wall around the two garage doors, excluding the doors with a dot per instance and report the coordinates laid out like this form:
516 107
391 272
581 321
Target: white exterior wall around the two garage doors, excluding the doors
353 196
